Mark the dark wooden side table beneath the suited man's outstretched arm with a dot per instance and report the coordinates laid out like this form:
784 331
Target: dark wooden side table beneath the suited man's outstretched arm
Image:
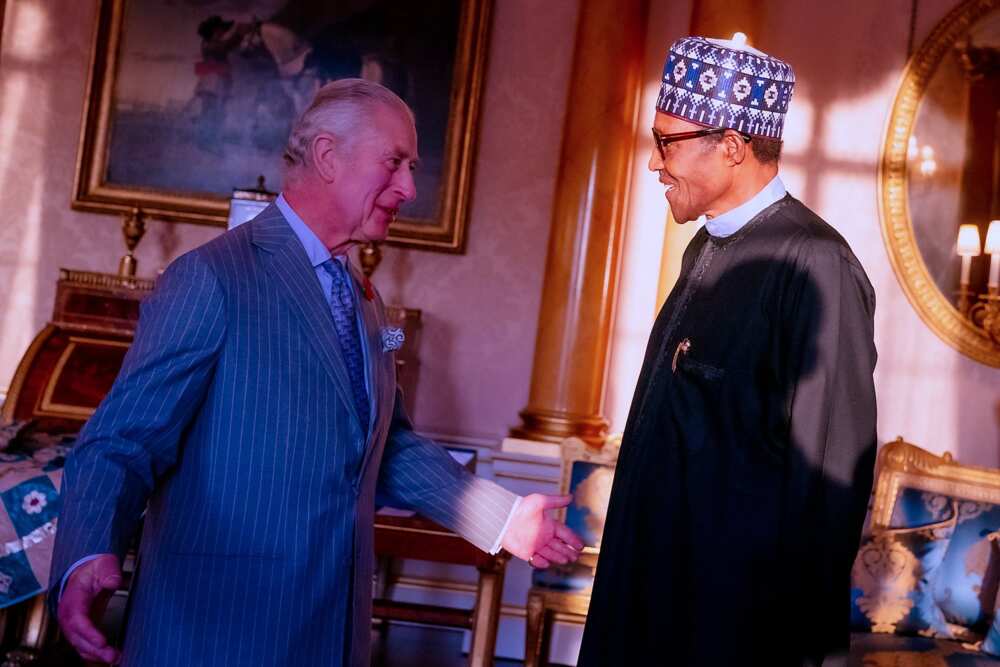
421 539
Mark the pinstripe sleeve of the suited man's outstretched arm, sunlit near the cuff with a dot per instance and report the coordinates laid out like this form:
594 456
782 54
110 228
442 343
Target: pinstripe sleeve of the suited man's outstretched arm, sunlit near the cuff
418 474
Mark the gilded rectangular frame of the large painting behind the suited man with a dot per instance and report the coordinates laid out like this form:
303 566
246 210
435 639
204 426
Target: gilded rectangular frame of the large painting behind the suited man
445 232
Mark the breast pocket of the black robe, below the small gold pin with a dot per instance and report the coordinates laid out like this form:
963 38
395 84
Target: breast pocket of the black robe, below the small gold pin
696 399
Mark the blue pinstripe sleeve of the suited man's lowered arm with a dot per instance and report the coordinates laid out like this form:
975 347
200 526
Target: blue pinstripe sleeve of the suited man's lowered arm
132 439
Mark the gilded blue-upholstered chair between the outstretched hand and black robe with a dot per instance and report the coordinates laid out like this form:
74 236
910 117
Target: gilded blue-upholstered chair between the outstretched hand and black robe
564 591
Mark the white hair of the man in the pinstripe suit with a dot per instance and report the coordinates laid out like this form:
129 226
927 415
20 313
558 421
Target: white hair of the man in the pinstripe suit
338 109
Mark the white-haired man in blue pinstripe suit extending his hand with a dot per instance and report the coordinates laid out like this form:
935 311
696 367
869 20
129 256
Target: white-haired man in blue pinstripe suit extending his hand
255 419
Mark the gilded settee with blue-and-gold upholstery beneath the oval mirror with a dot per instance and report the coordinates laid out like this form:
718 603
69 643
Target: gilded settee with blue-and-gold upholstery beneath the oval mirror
925 579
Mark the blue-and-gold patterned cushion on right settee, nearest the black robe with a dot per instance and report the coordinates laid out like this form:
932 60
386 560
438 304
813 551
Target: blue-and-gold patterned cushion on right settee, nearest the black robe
893 580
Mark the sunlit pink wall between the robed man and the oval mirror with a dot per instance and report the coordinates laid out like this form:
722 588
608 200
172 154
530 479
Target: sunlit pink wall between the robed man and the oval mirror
928 392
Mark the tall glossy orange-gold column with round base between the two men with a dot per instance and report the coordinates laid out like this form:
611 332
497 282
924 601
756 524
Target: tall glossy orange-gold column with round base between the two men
581 274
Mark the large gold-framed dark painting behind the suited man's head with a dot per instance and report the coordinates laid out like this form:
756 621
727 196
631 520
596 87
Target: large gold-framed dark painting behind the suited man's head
189 99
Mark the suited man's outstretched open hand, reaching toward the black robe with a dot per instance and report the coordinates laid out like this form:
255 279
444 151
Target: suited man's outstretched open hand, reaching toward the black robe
536 537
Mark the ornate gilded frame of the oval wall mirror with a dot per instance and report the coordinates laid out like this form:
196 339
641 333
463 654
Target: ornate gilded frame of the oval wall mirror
934 308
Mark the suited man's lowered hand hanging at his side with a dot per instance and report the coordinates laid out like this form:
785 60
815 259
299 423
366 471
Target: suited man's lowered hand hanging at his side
86 595
